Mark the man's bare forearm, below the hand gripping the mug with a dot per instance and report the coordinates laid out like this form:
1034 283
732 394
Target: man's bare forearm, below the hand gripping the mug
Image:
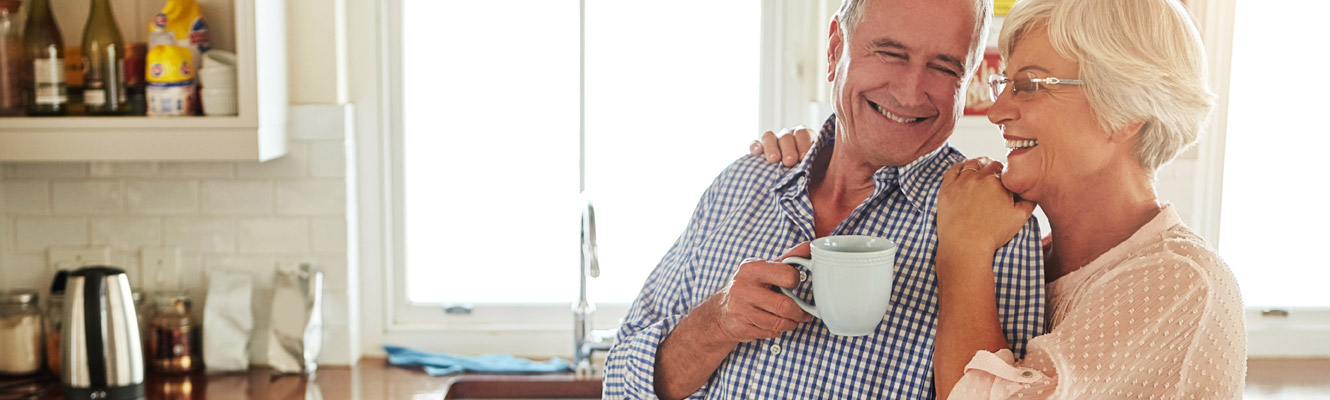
692 353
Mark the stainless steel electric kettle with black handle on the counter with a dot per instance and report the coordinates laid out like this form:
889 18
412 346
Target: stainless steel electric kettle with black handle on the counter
100 349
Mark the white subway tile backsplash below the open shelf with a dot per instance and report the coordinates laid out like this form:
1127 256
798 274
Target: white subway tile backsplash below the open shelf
244 216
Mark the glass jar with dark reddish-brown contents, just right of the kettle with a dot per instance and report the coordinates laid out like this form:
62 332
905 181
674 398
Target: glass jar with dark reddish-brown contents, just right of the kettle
175 338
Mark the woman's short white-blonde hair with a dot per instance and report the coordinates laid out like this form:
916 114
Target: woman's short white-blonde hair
1142 62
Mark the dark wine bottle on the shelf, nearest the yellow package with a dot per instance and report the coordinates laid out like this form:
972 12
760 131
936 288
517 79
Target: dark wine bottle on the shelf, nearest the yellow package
104 63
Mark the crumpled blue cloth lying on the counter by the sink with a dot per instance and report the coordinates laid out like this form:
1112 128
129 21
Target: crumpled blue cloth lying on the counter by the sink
440 363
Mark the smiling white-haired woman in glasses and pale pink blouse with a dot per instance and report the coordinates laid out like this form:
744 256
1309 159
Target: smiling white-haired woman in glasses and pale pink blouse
1095 98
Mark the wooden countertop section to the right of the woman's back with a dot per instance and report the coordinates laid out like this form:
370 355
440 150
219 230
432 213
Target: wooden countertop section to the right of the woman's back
1288 379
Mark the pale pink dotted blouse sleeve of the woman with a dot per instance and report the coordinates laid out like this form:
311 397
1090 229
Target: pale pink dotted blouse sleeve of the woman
1139 330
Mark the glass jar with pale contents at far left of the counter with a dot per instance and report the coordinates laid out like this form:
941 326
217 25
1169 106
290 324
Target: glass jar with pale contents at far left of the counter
21 333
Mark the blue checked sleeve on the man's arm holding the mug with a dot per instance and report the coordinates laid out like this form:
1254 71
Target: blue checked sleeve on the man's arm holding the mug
664 301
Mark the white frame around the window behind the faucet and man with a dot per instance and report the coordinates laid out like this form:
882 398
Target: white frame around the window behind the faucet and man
376 46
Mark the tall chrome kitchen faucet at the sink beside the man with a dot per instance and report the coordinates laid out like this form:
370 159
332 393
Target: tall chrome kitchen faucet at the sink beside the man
587 341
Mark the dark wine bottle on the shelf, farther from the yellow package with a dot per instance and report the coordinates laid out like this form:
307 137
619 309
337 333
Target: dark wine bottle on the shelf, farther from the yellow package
45 75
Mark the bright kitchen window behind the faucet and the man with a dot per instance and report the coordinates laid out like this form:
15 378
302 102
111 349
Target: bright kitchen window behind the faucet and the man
501 116
